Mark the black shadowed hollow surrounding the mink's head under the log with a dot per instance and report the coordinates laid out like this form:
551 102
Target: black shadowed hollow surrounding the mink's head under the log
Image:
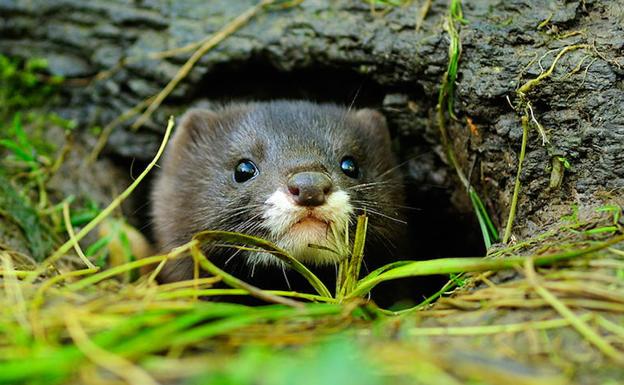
436 227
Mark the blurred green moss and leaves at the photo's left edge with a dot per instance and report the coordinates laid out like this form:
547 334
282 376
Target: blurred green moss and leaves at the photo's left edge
27 156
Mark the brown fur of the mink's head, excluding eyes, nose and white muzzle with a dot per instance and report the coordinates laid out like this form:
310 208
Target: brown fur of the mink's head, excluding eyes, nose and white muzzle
195 189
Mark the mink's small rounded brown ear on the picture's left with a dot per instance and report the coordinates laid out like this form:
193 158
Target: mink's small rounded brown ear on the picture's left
196 126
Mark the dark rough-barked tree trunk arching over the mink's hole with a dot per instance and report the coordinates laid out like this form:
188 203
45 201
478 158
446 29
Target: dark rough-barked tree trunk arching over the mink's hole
337 50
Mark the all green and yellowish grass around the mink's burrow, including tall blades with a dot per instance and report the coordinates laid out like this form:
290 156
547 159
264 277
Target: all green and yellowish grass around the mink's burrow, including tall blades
65 321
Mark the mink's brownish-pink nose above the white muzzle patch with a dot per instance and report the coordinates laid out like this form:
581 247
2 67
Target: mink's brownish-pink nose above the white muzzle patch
309 188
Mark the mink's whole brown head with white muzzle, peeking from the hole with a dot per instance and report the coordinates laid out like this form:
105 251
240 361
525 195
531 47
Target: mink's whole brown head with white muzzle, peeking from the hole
294 173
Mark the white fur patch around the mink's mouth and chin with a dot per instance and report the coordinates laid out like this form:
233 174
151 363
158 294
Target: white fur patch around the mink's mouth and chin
294 228
